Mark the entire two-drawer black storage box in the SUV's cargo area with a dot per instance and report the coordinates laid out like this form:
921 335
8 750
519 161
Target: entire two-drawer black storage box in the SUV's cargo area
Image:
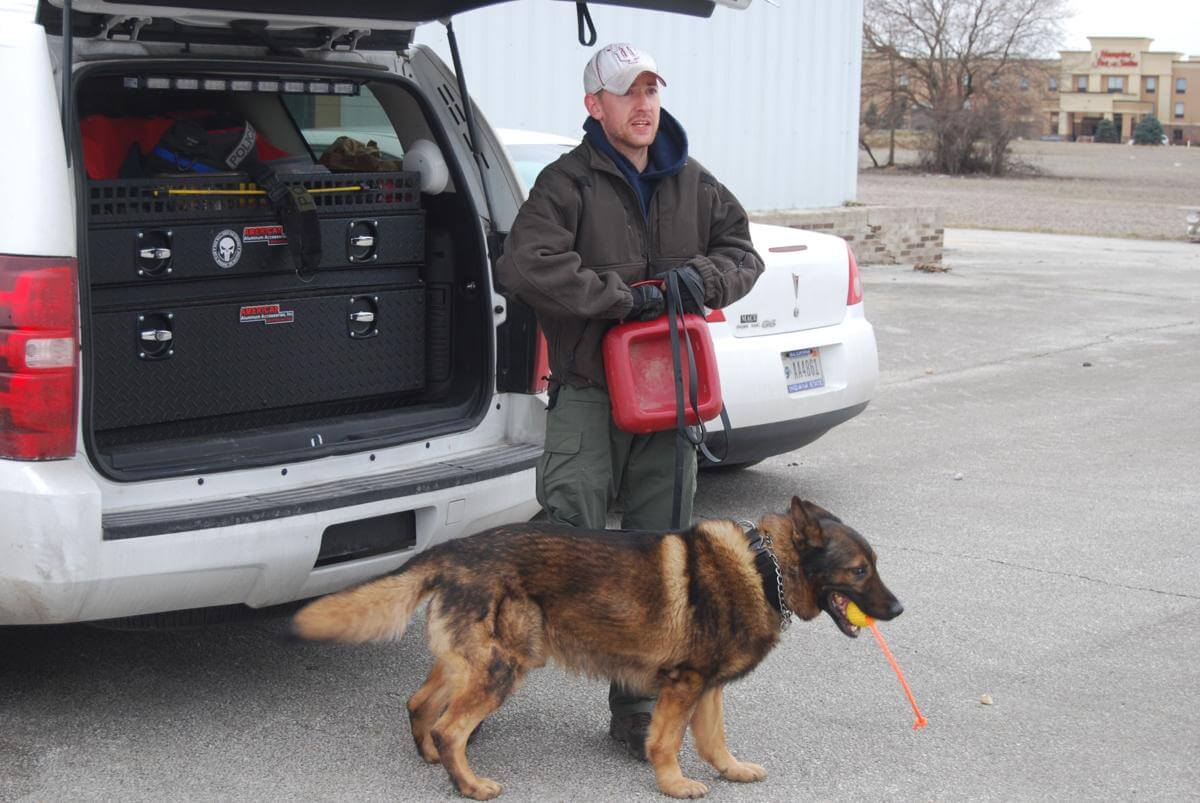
199 313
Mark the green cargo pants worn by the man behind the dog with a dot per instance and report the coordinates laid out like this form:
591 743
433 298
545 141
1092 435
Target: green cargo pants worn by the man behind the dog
590 464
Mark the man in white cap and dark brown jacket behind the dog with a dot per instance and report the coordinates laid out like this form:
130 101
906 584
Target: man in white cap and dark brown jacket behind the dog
627 206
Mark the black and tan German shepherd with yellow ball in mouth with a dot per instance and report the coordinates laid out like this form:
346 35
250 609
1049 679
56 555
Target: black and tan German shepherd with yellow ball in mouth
675 614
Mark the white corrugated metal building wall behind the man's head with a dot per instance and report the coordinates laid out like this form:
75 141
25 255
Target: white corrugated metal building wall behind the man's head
769 97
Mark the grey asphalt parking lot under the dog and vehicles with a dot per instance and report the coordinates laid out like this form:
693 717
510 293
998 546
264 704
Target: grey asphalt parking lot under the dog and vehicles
1028 475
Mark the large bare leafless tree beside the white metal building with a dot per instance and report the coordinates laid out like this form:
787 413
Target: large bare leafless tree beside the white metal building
969 65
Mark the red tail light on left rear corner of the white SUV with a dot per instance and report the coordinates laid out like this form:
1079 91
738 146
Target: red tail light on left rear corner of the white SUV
39 349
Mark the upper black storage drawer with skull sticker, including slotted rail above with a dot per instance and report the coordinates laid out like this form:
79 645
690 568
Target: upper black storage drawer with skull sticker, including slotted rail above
153 231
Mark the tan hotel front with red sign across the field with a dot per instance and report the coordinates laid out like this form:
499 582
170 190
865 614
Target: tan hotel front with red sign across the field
1121 80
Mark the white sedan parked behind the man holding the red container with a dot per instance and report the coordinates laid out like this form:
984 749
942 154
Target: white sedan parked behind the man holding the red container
796 356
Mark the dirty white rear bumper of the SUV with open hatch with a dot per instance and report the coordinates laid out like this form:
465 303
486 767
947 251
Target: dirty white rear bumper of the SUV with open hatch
63 560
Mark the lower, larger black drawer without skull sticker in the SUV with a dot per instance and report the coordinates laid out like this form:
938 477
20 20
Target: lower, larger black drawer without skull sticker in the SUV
172 363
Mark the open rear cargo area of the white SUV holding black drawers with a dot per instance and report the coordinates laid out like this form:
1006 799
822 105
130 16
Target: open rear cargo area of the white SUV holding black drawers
207 345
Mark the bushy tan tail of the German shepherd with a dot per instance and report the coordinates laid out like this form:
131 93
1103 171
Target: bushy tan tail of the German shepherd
376 612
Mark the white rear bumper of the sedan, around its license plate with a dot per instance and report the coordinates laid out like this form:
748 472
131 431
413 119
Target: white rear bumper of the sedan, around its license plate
766 418
